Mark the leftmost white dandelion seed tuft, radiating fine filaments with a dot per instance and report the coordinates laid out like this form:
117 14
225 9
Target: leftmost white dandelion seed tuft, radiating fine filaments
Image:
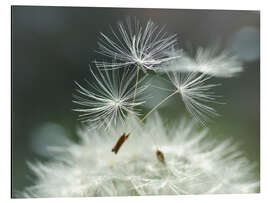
108 98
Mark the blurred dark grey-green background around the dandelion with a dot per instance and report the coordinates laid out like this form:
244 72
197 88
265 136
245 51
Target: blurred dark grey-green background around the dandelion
53 46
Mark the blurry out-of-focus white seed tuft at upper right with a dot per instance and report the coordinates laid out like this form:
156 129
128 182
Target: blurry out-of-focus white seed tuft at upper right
209 61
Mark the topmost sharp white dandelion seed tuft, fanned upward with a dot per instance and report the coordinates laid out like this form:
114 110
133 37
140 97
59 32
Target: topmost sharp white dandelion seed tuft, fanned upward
145 47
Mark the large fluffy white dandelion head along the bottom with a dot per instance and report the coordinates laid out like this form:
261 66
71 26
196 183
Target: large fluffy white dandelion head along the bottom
195 164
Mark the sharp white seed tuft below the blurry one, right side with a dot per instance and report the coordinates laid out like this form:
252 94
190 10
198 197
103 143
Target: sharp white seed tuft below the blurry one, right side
195 94
